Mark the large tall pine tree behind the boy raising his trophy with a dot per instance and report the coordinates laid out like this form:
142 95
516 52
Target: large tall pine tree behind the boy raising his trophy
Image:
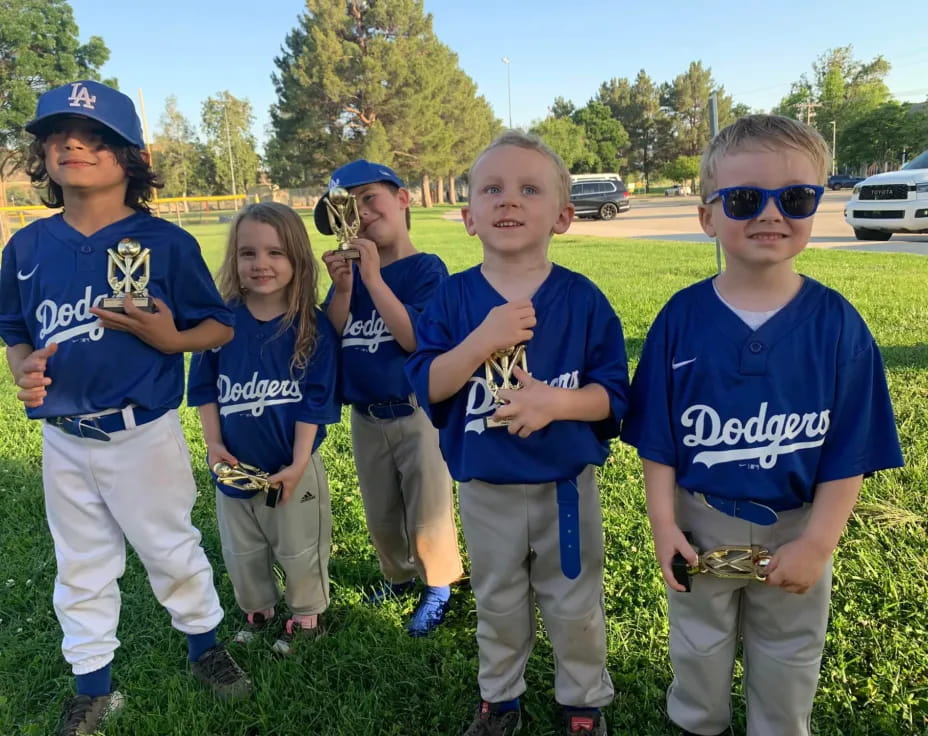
351 64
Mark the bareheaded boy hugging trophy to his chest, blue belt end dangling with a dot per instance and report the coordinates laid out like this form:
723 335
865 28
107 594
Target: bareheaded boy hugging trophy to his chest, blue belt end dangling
522 445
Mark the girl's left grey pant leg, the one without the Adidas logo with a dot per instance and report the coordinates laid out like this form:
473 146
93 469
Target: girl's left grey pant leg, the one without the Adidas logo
247 552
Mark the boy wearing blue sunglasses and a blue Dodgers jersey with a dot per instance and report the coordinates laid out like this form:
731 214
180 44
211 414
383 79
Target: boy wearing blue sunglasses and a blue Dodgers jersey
758 406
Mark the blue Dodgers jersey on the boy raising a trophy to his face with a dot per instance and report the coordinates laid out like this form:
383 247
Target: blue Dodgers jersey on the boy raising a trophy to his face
372 359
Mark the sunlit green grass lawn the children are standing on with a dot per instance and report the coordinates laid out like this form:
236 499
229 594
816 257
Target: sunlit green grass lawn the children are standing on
367 677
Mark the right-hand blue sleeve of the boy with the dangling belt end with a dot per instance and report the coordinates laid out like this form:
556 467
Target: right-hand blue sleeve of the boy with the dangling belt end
607 364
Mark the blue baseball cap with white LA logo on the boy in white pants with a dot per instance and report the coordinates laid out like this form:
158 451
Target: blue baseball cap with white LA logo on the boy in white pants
92 100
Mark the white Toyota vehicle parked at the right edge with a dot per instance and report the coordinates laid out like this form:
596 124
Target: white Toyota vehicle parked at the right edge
894 202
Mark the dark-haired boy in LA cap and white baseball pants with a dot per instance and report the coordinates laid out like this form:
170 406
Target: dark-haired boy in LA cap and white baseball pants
107 386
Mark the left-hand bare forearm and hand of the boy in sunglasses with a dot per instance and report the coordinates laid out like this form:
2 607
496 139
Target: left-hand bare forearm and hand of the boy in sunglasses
660 483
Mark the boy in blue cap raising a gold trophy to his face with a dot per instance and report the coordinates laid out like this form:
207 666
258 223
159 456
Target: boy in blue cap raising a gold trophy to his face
374 303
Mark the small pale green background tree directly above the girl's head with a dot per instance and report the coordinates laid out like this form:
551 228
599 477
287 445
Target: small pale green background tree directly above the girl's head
230 146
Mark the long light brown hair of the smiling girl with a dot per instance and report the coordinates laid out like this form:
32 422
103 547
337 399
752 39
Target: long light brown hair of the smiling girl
303 290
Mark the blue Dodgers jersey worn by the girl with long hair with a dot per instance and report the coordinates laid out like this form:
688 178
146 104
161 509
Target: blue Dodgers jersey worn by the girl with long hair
259 400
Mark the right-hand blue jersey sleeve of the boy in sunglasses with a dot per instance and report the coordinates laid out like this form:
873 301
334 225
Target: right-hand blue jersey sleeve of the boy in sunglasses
862 435
